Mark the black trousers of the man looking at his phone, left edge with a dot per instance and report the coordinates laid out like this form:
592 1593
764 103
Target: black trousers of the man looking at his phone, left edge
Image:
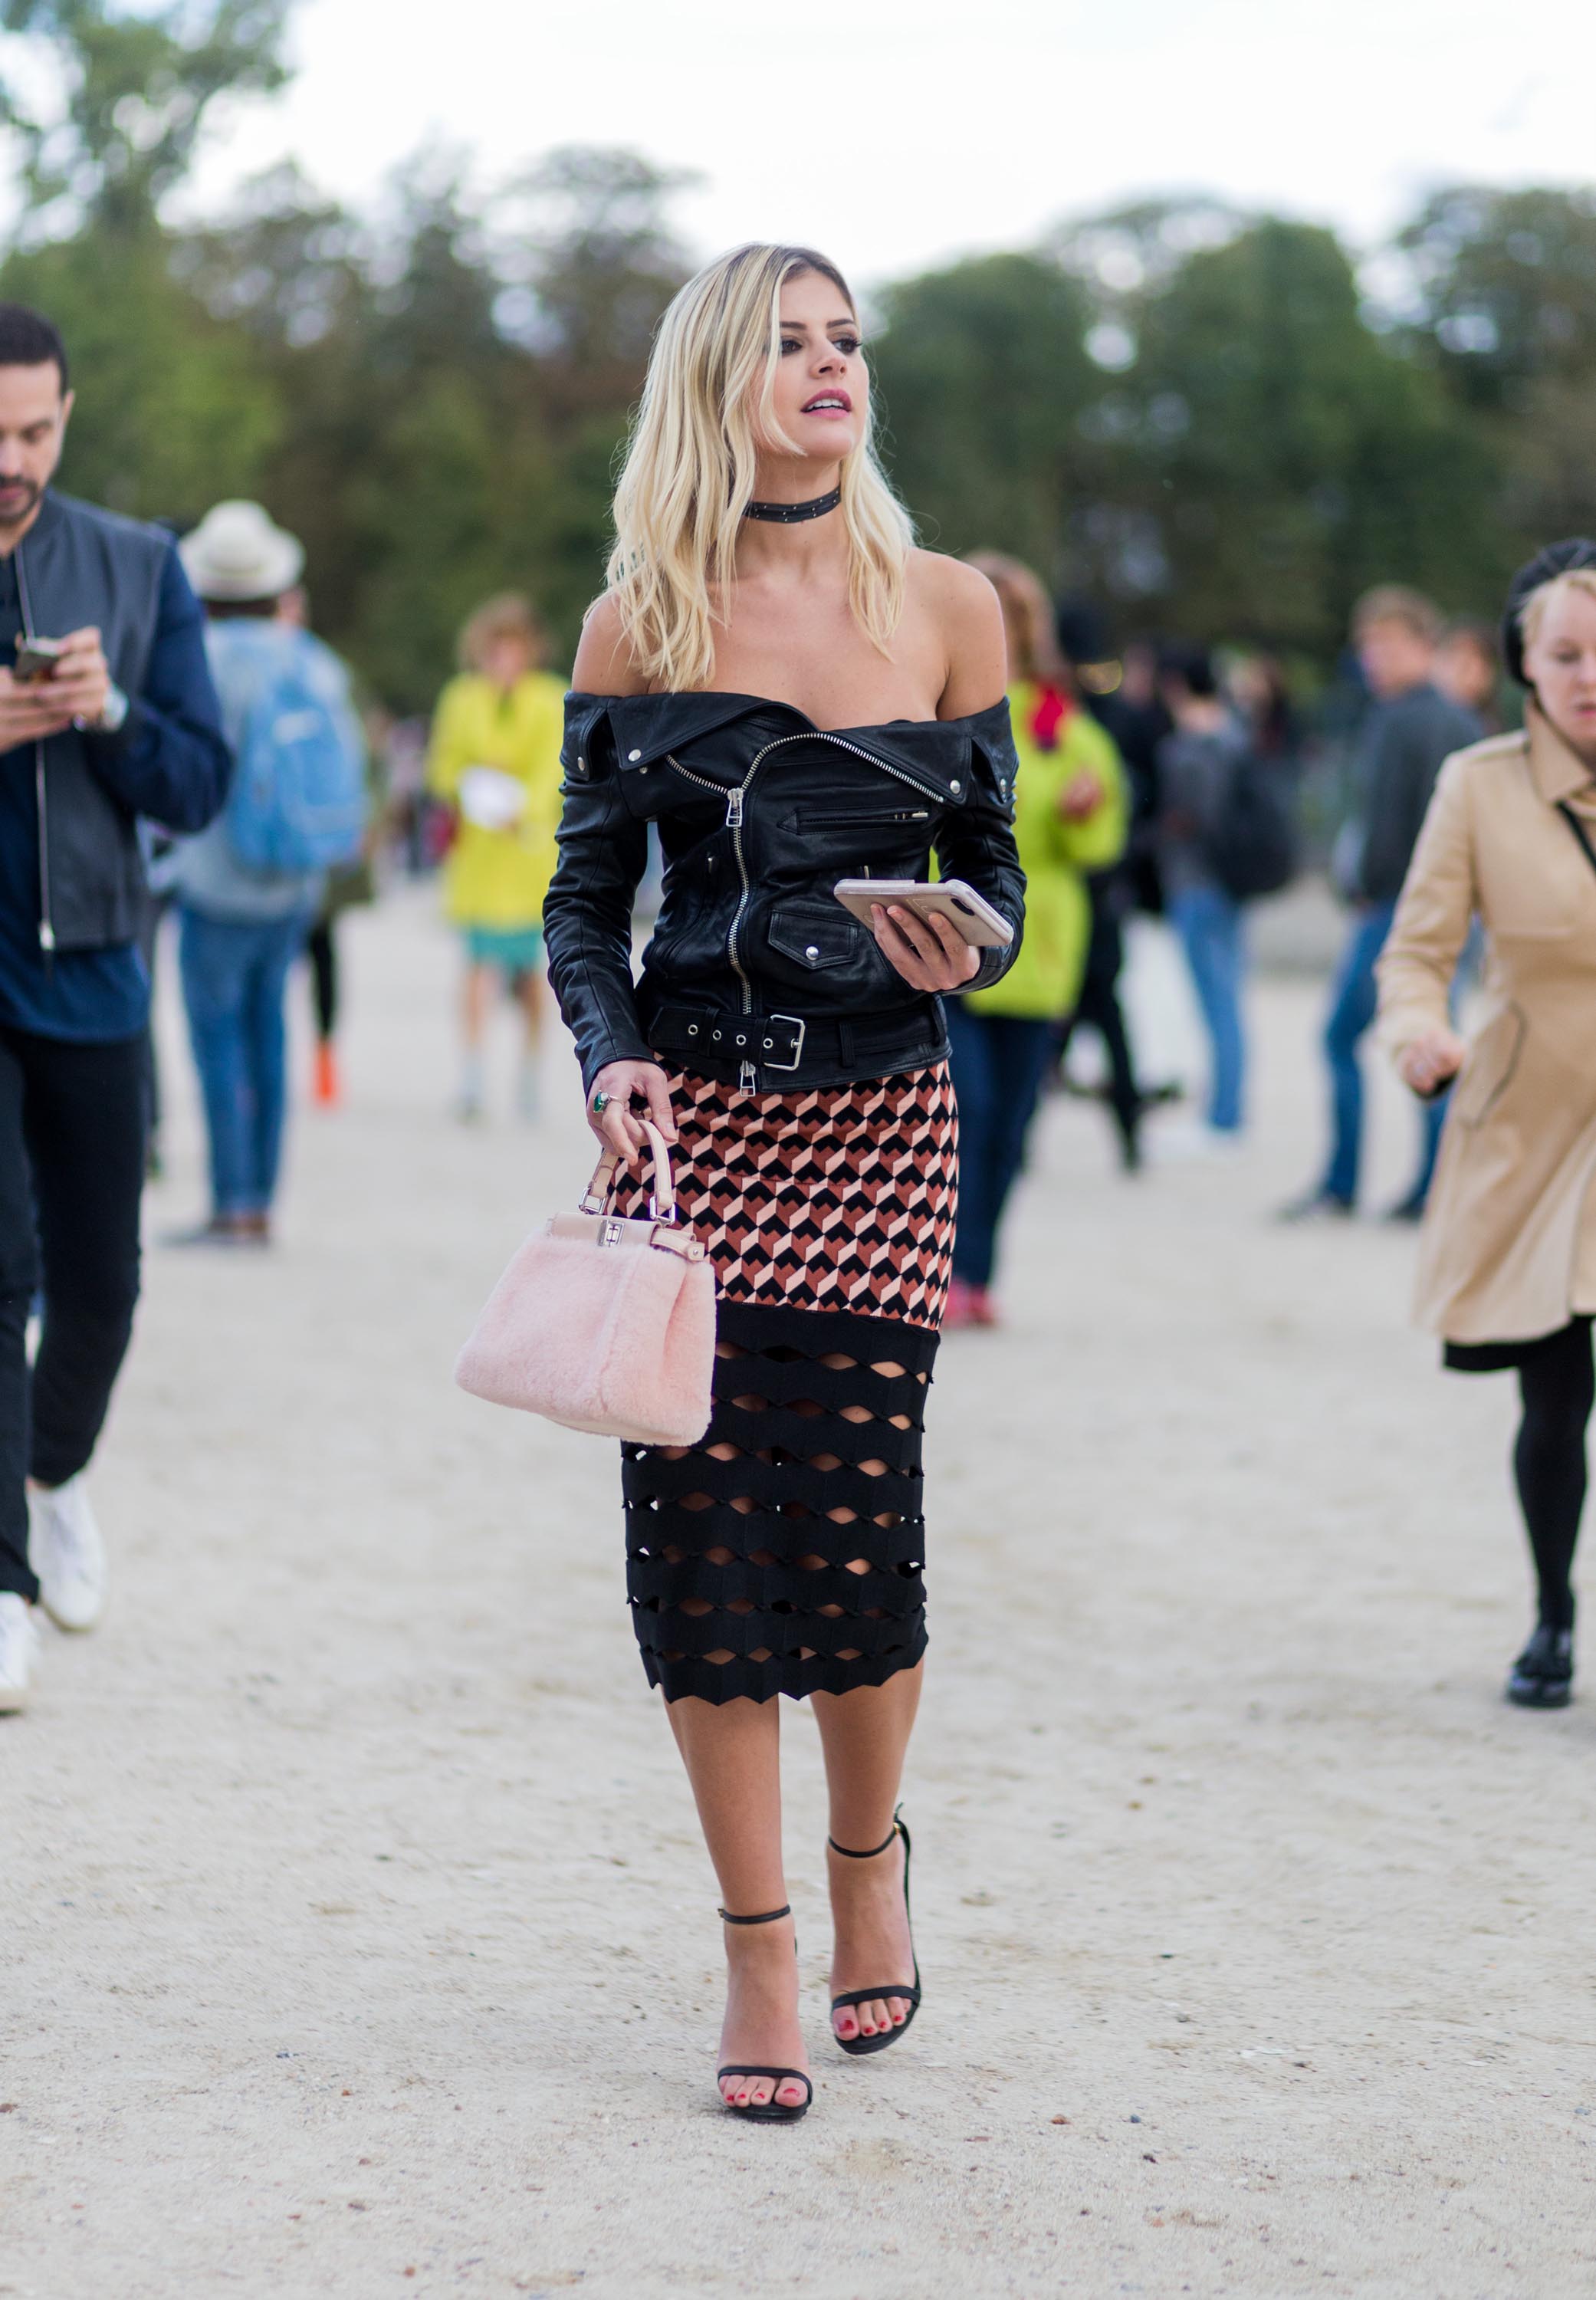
72 1170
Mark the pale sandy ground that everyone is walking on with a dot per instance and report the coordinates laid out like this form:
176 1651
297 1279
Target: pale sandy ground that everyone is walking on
360 1940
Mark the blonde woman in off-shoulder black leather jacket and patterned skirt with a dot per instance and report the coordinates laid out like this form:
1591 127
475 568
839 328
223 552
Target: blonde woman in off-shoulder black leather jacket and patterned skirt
792 696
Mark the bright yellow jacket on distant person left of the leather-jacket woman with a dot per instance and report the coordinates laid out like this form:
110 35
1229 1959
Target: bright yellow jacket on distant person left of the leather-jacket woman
500 877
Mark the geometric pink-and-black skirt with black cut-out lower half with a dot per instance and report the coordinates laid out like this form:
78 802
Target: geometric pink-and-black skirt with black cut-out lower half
785 1551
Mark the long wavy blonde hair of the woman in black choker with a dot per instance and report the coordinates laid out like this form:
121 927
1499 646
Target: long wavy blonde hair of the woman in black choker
691 470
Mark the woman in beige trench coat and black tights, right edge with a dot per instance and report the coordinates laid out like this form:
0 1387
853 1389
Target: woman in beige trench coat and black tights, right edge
1507 1271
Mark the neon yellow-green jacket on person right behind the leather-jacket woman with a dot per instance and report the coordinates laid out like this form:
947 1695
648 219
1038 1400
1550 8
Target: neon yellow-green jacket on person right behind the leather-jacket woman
1045 979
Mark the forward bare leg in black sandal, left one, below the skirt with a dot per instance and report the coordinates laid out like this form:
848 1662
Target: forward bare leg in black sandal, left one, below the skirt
732 1756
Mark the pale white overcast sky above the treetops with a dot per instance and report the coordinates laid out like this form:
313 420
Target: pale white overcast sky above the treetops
898 135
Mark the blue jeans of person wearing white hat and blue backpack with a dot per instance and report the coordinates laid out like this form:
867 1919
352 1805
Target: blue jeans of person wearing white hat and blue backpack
236 976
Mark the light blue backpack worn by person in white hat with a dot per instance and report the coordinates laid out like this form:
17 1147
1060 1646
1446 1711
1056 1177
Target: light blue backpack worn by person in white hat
298 799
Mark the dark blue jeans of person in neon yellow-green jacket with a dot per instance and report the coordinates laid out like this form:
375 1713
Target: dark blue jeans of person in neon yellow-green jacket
999 1064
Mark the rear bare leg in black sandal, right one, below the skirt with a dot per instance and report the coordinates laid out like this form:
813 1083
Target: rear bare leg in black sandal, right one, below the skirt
866 1738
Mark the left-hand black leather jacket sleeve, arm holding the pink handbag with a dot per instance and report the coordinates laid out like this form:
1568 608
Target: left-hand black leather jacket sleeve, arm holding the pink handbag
588 914
